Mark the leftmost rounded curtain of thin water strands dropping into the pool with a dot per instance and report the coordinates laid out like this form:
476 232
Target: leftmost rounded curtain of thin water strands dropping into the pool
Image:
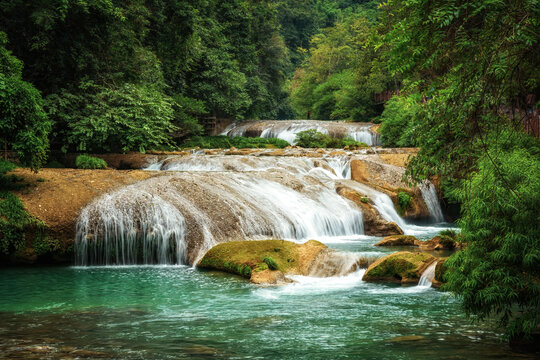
130 226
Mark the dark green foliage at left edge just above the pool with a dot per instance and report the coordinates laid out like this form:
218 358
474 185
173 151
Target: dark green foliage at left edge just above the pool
16 225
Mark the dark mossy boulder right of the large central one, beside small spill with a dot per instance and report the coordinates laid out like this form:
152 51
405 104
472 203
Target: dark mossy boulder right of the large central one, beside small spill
401 267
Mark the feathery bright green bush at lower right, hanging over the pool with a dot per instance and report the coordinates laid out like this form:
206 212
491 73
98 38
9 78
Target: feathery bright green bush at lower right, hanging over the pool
497 273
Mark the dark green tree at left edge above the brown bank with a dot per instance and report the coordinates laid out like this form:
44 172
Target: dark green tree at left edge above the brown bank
24 126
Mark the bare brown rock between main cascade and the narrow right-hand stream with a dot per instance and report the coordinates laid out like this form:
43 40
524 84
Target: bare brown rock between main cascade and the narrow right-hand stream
374 224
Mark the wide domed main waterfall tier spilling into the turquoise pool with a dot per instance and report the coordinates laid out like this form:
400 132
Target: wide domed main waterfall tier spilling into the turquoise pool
177 217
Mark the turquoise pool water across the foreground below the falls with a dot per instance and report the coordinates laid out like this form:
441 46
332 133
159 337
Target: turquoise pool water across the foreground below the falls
181 312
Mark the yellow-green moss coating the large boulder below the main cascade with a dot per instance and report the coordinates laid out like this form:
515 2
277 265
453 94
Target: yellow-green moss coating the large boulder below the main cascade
245 257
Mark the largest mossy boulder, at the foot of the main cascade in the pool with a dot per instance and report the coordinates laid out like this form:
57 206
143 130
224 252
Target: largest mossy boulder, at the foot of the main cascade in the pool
262 261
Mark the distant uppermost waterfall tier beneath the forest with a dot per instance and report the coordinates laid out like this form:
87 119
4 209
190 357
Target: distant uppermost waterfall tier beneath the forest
287 130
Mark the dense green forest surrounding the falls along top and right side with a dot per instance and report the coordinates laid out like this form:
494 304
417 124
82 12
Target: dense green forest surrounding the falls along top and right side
114 75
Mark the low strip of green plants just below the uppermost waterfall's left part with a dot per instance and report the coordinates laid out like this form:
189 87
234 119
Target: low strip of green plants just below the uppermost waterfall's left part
239 142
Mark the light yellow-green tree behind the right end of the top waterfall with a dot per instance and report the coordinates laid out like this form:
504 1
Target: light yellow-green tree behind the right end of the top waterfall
342 73
